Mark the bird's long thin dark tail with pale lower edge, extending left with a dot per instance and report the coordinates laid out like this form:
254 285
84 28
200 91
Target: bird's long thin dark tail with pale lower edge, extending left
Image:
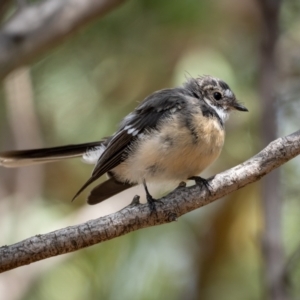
12 159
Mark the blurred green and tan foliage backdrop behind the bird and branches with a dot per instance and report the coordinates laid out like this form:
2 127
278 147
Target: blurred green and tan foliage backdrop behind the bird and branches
79 91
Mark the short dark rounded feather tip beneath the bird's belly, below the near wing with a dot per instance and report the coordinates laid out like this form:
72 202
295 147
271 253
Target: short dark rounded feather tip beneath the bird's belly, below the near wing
106 190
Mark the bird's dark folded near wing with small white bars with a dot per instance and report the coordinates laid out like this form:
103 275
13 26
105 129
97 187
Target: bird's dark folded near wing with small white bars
145 117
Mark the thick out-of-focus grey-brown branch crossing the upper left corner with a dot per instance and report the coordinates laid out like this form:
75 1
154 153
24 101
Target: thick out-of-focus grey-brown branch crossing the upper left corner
34 29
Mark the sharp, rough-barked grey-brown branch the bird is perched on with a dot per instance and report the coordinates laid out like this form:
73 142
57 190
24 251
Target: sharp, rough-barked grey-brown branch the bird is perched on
134 217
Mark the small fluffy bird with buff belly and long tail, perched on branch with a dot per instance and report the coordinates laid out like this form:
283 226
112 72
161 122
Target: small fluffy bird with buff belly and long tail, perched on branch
171 136
